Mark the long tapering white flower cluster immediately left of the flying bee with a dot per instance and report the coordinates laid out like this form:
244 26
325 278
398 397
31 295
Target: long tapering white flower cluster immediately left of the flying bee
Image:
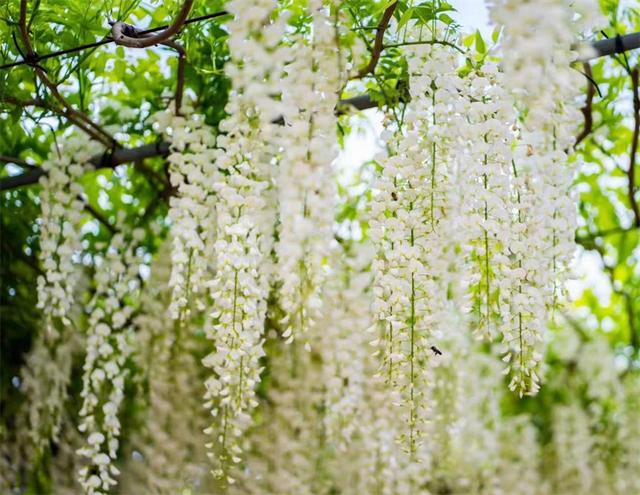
411 202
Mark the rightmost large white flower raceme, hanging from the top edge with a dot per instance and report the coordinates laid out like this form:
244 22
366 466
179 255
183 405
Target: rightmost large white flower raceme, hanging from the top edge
537 56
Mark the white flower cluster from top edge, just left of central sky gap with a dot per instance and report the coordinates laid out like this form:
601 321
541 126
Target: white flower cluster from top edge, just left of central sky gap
305 177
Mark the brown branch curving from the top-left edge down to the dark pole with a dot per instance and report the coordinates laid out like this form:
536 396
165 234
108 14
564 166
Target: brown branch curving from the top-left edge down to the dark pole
78 118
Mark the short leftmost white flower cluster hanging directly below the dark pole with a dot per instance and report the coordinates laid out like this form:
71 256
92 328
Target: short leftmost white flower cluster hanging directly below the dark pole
60 236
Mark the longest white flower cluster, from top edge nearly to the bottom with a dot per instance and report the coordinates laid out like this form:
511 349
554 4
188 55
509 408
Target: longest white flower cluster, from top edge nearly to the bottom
245 218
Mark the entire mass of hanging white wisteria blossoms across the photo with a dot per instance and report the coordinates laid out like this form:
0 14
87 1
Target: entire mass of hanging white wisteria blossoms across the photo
311 356
